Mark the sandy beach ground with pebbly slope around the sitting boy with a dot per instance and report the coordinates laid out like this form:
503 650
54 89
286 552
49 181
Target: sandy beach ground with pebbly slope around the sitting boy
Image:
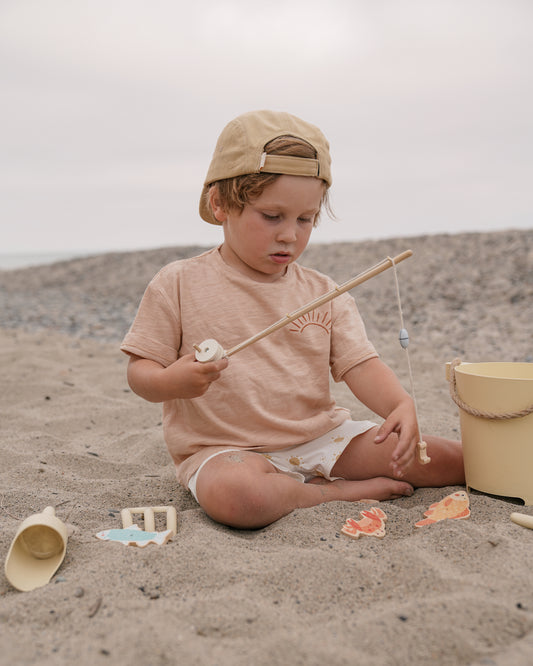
297 592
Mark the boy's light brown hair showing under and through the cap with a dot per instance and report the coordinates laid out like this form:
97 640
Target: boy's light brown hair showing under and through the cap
236 192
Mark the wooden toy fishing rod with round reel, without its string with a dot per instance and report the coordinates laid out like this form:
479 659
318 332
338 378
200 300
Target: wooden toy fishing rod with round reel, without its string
211 350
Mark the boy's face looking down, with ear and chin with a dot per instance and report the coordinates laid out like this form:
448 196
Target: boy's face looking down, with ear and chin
273 230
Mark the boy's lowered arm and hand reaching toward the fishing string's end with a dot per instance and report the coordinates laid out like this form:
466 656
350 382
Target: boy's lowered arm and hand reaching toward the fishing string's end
376 386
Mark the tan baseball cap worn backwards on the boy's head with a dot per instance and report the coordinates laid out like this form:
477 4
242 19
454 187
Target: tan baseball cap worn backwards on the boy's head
240 150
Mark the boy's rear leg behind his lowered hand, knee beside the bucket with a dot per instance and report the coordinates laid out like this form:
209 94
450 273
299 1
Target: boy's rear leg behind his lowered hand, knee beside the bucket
364 459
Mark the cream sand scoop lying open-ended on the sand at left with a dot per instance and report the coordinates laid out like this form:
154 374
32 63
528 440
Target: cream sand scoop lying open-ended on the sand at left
37 551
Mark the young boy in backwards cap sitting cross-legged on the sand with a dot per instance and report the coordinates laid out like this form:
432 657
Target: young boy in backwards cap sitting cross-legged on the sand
258 435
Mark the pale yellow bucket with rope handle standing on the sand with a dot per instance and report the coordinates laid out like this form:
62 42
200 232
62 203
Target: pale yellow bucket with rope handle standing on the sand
498 452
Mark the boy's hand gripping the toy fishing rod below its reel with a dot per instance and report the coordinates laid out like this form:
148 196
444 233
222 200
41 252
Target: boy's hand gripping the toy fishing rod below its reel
191 378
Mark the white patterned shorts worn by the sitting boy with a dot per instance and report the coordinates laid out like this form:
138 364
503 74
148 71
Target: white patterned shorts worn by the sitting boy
305 461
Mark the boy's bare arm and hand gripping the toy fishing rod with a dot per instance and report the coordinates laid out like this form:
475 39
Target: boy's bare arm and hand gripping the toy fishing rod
185 378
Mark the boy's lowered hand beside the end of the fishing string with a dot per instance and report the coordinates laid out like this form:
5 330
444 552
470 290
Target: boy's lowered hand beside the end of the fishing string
402 421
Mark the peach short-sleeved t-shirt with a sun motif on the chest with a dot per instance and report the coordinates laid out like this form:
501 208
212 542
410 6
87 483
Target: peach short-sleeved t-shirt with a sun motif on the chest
275 393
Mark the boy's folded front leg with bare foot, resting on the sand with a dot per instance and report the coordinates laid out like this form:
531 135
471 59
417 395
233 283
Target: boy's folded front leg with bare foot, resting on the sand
243 489
